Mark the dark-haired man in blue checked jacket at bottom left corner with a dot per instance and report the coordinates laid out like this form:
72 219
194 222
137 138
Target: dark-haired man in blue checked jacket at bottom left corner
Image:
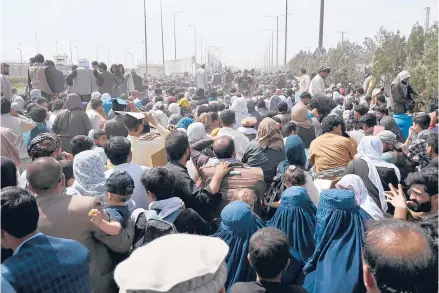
41 263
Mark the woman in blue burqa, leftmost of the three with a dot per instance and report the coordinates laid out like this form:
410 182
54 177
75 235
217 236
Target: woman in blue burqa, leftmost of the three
238 224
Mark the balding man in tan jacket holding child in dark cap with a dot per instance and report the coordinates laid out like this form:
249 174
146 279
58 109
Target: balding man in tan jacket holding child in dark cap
67 216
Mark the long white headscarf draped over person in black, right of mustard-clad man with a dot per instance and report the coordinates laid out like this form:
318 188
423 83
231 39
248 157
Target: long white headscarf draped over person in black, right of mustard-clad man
370 150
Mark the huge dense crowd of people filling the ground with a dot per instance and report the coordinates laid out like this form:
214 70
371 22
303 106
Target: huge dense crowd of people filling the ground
216 182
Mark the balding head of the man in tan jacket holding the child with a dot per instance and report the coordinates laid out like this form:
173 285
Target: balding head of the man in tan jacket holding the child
44 173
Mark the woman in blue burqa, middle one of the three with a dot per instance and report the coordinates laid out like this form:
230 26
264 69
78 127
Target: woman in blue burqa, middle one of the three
296 217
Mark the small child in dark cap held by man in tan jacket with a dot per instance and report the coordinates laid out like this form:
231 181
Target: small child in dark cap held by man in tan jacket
120 186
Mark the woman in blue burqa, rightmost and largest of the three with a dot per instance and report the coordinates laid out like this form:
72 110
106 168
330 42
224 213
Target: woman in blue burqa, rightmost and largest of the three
336 264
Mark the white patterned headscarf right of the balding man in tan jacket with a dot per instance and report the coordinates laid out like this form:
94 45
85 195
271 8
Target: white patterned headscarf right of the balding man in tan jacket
89 173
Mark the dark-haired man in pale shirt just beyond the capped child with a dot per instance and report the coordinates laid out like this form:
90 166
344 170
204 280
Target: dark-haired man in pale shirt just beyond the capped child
118 151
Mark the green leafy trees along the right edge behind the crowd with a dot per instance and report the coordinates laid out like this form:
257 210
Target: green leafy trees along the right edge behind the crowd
389 53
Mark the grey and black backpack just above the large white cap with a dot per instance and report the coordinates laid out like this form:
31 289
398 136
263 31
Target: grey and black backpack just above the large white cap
148 226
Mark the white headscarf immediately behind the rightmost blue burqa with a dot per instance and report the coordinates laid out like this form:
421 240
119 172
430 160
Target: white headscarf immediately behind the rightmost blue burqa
362 197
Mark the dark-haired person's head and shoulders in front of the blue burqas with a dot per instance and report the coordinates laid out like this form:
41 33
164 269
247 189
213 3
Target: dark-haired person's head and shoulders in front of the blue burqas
269 256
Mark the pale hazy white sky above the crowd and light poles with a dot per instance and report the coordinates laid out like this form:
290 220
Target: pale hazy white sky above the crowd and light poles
238 26
